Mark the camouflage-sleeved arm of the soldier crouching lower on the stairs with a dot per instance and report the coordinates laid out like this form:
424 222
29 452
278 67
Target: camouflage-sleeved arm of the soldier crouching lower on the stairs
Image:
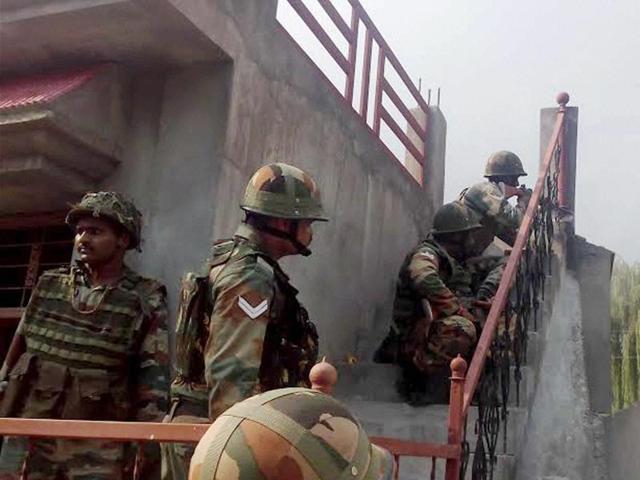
423 270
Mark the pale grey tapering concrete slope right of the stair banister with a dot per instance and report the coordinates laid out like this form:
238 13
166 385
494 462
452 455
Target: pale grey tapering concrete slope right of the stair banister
563 437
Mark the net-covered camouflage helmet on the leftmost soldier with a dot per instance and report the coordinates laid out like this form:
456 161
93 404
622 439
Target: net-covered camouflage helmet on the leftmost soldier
111 205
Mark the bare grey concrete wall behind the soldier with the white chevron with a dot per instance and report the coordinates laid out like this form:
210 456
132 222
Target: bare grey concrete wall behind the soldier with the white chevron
197 133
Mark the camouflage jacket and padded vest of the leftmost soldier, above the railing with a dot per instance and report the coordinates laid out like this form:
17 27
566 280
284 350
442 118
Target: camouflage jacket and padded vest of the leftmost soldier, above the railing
101 353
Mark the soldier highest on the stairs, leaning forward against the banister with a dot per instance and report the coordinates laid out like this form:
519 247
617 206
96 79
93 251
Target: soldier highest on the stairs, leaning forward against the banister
489 199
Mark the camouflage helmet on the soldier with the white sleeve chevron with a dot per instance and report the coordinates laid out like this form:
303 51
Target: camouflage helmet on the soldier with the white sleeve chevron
283 191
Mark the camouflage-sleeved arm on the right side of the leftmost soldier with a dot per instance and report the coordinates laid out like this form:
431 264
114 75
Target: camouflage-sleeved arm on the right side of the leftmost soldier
152 379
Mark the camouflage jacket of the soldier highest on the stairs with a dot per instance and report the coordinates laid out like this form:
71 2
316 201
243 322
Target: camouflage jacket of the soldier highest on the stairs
489 201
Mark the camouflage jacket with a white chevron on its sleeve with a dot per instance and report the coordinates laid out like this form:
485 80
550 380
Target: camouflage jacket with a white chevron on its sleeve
258 336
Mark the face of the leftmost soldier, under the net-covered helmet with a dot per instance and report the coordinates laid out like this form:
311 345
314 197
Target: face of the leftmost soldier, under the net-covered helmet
98 241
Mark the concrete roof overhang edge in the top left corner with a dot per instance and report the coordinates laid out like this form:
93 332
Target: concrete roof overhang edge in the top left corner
46 34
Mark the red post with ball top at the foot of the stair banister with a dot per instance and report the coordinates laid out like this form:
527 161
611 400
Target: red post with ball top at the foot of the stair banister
456 418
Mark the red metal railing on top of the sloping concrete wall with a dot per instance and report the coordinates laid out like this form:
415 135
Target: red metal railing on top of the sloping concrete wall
382 87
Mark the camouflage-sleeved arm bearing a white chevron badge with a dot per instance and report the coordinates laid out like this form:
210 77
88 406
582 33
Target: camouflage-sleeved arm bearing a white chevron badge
233 352
